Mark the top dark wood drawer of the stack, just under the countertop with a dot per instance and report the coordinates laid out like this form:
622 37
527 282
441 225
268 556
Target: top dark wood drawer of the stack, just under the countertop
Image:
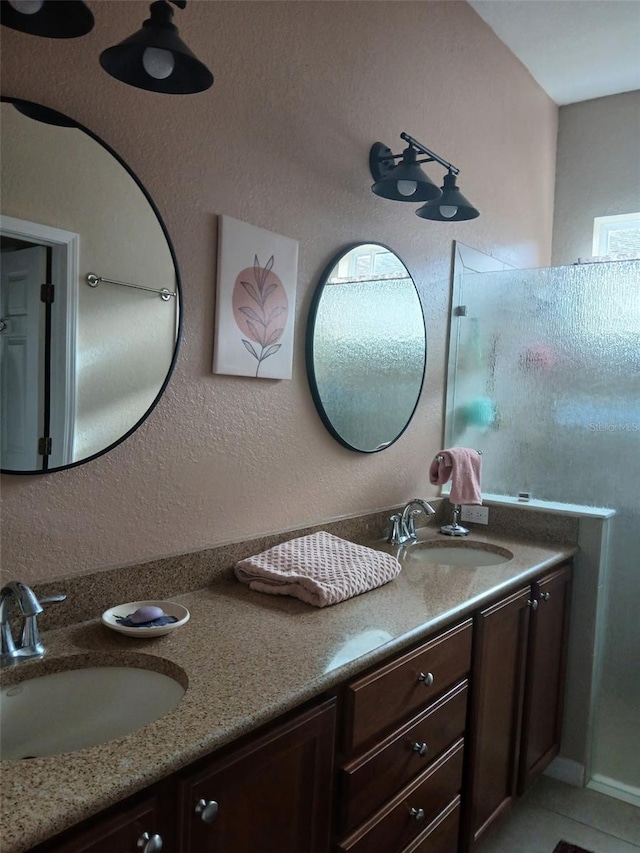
392 693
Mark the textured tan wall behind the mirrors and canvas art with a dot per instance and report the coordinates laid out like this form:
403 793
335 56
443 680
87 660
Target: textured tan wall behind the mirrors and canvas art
281 140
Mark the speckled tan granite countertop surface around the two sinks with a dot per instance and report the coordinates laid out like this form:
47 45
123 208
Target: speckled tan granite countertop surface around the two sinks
237 678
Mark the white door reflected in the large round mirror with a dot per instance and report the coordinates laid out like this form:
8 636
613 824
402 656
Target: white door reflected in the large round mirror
21 358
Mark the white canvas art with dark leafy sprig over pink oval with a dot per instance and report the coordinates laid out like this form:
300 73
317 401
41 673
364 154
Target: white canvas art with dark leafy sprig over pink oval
255 301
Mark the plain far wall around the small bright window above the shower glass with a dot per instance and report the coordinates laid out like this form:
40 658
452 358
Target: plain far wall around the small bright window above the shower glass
597 173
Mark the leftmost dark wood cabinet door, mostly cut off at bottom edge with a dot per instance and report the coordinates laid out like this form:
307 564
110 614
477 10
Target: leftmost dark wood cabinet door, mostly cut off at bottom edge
136 829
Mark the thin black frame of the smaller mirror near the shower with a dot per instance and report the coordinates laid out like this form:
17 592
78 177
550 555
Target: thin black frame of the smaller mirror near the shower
309 348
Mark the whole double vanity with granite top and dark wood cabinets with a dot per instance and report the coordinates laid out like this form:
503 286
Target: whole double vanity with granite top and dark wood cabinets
405 719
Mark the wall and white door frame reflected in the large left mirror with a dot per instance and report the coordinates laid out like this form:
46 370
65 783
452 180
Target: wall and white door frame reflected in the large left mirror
112 348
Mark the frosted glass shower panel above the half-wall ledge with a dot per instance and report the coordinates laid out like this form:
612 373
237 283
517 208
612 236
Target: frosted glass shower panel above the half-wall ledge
546 379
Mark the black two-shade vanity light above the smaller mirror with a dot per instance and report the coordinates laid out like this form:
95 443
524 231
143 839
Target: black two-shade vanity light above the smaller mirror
407 181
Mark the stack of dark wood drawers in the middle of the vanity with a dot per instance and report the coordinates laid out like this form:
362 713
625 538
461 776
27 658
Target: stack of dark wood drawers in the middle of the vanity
400 774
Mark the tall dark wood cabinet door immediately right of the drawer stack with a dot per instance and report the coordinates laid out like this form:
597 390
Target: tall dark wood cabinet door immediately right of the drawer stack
497 690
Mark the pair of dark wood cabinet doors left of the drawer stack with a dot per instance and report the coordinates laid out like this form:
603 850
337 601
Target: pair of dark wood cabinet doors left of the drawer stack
270 795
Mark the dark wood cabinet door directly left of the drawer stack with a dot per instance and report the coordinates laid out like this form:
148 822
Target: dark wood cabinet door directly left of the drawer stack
271 796
